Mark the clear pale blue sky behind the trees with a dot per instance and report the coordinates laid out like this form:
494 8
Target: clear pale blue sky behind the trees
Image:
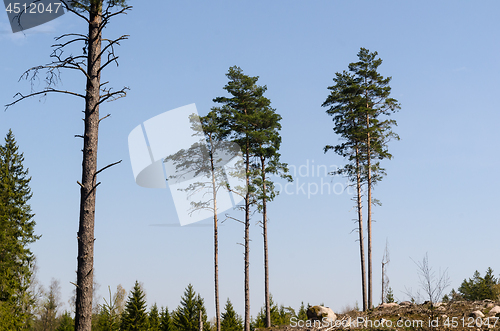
439 195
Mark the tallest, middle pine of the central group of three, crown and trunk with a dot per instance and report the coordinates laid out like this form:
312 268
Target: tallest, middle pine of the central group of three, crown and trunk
241 111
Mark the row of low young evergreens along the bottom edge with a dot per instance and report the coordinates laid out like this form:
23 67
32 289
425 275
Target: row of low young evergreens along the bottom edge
132 313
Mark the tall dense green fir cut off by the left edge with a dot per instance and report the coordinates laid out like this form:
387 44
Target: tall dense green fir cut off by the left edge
17 232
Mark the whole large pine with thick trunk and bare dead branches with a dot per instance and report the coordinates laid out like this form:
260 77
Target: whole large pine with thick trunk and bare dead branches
97 54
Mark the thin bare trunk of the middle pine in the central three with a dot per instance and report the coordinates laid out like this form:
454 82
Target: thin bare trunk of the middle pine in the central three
247 241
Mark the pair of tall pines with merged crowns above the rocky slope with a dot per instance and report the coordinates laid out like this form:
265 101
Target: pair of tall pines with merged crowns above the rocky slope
358 101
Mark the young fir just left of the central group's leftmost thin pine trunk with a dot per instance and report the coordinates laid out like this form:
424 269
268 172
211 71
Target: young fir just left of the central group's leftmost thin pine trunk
187 315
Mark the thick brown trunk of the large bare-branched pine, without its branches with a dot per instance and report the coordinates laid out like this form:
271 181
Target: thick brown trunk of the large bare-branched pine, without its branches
83 316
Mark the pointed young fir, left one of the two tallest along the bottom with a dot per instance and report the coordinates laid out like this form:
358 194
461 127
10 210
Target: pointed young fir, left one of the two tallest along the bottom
135 317
